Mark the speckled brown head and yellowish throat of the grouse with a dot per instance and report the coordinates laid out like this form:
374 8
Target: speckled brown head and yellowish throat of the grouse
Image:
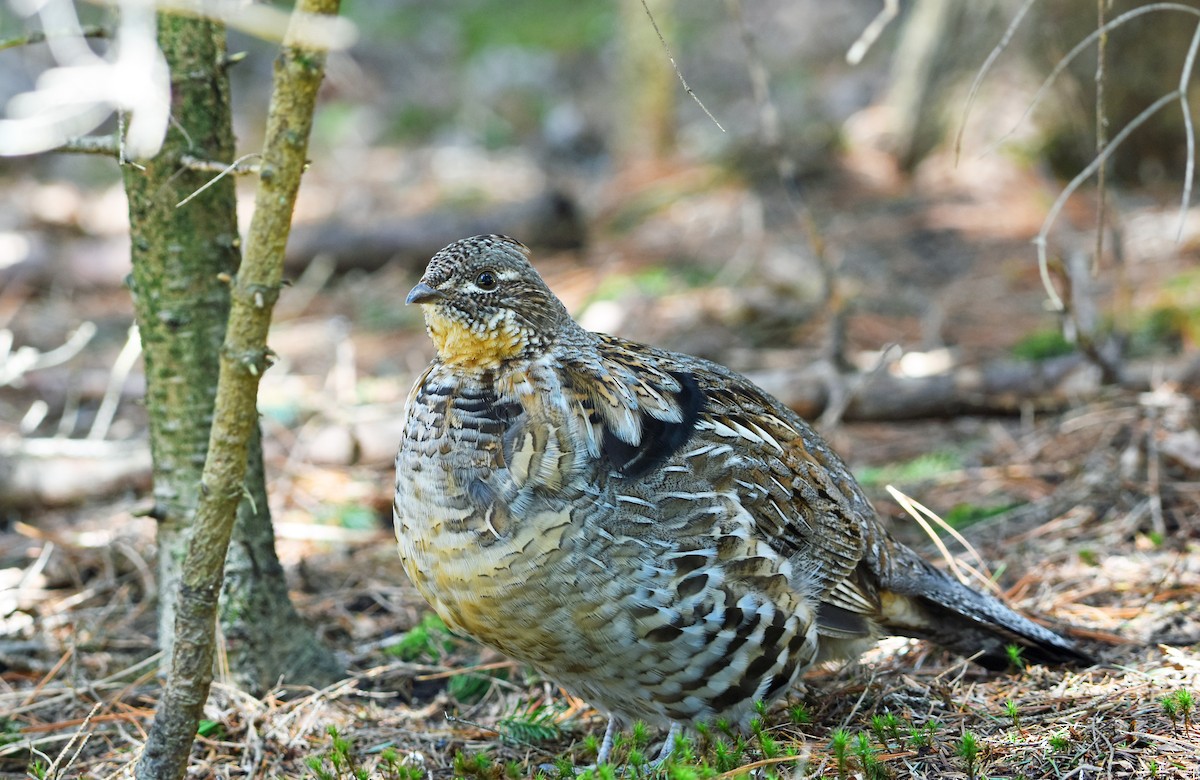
484 304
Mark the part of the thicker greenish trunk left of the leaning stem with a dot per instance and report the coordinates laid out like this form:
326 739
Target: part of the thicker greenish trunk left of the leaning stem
179 257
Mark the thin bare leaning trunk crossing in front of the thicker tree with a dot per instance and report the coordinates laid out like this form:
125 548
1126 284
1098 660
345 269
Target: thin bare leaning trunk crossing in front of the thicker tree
244 357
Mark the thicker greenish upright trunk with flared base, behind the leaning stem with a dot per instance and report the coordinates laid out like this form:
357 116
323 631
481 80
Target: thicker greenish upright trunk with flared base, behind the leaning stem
181 257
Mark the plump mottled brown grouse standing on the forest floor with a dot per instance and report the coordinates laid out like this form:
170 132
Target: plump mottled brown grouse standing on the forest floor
650 530
